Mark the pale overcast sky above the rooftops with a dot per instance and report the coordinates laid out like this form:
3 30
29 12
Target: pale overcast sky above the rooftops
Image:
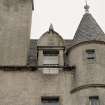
65 15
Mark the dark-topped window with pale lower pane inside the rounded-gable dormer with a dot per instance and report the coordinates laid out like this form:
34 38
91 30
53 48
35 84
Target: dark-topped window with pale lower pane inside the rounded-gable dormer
50 57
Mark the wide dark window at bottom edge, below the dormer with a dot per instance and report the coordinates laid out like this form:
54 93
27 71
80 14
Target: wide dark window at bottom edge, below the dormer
50 100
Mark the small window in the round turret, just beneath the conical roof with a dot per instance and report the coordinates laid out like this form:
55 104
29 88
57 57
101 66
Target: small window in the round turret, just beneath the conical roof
91 55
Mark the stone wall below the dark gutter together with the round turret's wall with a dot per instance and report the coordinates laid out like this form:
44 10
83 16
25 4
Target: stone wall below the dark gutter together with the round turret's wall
25 87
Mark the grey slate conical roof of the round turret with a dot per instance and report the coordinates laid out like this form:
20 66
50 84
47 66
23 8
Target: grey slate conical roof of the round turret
88 29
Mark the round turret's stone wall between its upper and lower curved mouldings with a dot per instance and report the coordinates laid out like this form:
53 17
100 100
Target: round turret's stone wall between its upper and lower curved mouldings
88 73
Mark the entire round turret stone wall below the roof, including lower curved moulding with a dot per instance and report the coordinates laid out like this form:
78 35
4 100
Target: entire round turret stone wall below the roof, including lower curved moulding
89 78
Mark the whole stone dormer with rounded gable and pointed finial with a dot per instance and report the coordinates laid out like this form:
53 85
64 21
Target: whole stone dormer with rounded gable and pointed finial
50 52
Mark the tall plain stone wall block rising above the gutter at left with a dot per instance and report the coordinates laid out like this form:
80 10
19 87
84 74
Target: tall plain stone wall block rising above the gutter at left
15 25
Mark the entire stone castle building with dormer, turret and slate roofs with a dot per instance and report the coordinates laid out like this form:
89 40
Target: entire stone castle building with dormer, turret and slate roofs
50 70
